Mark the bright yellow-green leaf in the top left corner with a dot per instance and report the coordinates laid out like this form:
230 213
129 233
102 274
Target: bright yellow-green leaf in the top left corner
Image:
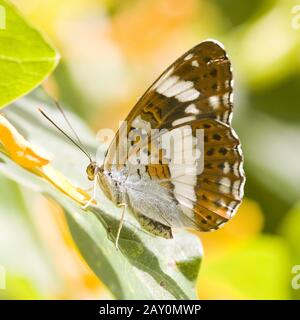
26 58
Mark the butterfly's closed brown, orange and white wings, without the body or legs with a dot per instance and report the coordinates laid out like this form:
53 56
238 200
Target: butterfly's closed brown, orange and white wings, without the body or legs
195 92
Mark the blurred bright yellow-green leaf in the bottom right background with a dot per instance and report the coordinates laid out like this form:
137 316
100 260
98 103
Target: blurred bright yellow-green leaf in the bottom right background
259 269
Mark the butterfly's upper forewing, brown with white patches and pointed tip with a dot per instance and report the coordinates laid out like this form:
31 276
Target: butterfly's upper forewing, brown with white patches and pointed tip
199 84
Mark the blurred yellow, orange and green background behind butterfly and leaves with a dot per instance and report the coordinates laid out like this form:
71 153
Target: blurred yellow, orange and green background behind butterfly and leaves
111 52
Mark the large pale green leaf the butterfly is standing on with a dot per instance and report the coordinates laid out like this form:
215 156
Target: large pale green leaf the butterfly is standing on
145 267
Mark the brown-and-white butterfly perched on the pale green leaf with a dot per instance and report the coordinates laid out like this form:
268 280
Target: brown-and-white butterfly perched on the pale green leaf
194 94
